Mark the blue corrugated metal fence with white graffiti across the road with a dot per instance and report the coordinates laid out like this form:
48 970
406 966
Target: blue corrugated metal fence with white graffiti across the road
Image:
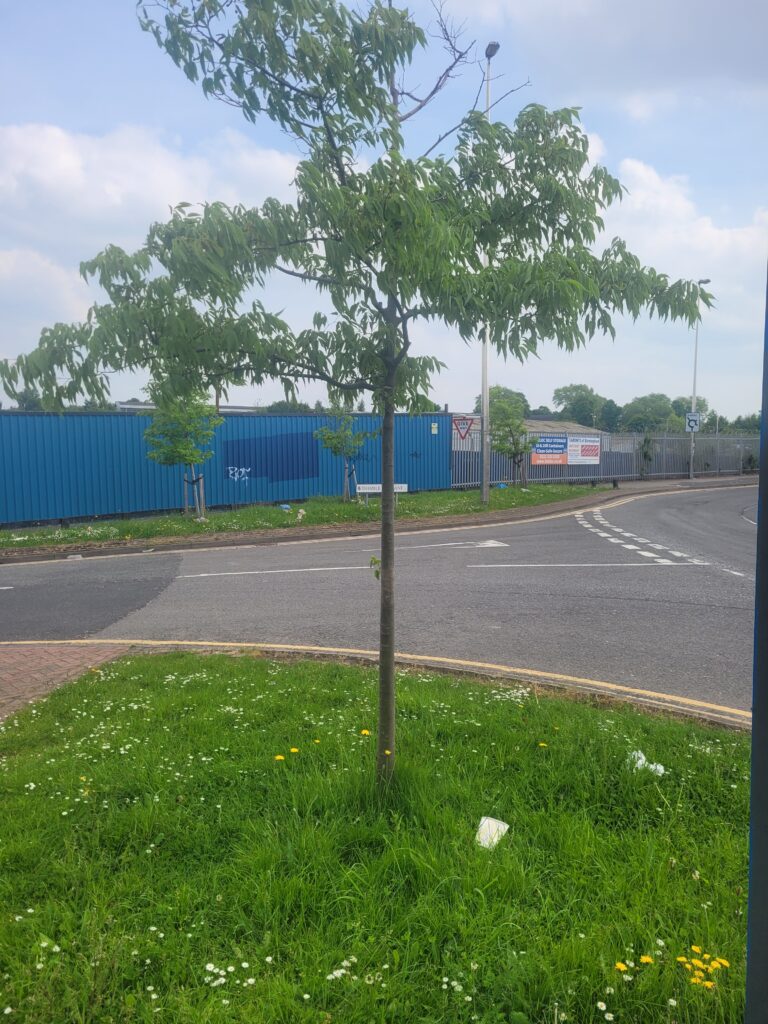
90 464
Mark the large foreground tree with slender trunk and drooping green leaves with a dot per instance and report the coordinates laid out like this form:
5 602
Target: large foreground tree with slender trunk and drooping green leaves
495 235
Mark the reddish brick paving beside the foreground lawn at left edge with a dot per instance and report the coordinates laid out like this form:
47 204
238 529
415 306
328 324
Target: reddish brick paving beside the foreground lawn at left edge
30 671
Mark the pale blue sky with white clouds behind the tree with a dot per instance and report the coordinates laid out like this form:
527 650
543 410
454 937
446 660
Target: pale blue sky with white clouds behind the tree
101 135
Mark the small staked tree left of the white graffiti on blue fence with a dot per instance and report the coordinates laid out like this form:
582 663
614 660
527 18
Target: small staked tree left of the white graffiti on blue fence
180 435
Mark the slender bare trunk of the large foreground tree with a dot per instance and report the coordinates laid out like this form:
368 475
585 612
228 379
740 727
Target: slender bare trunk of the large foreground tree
386 738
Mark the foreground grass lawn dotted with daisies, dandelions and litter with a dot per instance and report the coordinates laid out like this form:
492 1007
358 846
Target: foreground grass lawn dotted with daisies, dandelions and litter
193 839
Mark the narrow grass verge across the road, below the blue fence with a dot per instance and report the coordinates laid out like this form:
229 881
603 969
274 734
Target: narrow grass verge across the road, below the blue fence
317 511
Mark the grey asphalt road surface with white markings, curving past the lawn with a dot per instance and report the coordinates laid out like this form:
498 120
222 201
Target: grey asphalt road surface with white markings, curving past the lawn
657 592
